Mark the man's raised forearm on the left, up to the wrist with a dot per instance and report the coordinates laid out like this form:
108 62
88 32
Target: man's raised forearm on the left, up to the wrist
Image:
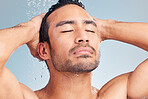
11 39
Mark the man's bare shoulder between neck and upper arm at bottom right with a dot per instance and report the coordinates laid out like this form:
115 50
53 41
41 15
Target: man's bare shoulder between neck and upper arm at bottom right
115 88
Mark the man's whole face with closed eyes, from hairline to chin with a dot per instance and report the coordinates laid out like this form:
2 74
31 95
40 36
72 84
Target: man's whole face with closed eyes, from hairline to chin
74 39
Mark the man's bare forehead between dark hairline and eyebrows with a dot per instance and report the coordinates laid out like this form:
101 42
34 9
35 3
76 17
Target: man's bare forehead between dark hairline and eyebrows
68 12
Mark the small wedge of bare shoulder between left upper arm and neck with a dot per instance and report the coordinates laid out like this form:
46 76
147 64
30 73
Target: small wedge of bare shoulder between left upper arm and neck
27 92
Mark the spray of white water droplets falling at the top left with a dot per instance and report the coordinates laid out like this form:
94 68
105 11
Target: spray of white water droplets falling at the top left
36 7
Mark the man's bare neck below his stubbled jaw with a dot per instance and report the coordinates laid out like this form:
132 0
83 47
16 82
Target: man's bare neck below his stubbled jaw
69 85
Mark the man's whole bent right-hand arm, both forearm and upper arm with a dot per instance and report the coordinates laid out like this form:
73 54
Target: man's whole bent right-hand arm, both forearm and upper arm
135 34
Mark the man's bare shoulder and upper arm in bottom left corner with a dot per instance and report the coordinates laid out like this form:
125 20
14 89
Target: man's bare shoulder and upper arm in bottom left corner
10 88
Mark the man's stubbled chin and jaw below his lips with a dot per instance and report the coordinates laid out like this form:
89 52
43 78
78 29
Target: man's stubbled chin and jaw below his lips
81 64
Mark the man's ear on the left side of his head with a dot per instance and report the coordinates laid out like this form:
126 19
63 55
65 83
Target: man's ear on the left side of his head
43 50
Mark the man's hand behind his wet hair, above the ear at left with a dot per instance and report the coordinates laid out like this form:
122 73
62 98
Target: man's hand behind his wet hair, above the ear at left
32 44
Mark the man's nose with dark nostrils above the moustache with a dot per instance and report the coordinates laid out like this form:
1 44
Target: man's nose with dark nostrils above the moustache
81 37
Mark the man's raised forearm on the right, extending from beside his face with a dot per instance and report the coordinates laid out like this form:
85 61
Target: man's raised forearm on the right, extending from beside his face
129 32
